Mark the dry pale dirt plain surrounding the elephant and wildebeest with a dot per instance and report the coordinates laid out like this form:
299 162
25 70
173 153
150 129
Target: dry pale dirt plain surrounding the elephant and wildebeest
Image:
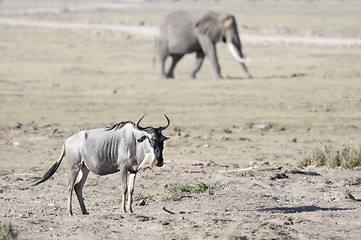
242 138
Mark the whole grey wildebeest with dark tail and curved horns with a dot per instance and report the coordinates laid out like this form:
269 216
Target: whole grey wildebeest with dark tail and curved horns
123 148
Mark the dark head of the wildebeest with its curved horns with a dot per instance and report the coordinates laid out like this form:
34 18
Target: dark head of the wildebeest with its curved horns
156 140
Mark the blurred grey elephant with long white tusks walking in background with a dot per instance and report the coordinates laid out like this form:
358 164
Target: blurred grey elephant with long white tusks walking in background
184 32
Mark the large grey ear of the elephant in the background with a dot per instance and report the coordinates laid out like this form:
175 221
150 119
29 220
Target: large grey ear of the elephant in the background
210 26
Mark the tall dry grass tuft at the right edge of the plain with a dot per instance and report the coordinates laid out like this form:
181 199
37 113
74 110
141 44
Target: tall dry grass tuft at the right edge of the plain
346 156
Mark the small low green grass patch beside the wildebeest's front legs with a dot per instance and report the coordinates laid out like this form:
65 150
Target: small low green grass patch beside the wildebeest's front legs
176 191
